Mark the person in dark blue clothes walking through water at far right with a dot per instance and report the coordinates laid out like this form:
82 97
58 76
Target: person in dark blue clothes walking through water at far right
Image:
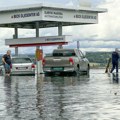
115 58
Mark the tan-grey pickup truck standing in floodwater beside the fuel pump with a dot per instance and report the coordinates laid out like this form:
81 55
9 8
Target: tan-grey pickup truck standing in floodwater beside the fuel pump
66 61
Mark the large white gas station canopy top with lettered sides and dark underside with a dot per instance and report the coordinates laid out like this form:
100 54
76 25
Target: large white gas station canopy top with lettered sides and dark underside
47 16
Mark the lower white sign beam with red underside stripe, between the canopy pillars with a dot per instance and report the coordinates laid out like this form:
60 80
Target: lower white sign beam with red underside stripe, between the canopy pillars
39 41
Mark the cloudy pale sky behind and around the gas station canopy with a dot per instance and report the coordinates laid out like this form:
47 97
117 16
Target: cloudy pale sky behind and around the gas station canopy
107 30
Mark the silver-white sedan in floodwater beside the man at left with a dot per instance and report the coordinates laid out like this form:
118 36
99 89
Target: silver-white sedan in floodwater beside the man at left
21 65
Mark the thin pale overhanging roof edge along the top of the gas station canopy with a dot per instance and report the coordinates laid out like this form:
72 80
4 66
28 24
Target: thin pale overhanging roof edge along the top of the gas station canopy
55 6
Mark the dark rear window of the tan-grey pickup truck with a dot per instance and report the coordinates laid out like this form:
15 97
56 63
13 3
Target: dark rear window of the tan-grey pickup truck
64 53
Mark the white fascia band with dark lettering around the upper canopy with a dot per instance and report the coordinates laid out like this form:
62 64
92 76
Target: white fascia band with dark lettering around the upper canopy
49 14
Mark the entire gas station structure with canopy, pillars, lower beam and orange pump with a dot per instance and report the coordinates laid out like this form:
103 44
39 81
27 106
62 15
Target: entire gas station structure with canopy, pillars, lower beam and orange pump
44 16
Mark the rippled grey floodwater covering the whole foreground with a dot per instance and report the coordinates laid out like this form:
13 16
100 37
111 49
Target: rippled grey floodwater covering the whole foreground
93 97
